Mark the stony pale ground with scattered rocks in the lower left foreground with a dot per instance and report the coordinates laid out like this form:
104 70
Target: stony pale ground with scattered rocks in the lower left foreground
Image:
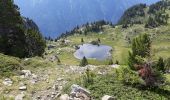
47 83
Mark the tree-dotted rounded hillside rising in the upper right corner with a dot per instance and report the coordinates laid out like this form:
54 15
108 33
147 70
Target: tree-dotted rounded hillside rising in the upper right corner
152 16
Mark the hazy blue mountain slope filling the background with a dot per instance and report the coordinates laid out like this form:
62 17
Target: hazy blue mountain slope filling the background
57 16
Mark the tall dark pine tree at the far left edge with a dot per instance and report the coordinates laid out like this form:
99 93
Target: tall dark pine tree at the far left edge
11 30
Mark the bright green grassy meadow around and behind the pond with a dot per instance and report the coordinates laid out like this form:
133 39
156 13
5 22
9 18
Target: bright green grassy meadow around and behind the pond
116 38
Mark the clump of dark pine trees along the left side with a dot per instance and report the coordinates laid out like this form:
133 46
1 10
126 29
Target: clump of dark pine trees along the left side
15 38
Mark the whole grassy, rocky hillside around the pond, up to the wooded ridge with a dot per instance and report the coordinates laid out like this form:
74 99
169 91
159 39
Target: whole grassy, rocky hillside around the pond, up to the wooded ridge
53 74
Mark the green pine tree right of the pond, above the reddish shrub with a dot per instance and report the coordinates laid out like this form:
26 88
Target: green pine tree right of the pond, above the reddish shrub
141 48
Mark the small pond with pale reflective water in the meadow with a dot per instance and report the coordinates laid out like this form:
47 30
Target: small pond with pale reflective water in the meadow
90 51
